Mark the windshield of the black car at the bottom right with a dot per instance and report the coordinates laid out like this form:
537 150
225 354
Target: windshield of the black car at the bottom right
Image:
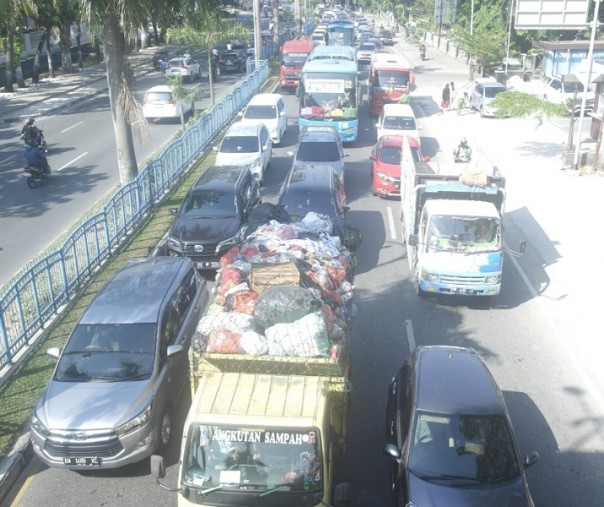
458 447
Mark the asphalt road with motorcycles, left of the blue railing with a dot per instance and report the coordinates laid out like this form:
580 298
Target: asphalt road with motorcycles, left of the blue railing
83 159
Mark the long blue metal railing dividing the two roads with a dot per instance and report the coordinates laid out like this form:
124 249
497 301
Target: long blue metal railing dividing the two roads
37 294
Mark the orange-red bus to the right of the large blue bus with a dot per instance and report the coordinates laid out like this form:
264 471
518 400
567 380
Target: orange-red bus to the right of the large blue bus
390 77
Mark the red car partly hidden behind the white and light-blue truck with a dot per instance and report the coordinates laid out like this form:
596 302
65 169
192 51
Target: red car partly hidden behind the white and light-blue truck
385 161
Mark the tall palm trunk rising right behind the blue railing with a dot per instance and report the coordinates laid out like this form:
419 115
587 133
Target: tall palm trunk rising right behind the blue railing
113 42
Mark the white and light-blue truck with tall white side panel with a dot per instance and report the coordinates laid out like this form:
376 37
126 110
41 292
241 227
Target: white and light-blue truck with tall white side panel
451 218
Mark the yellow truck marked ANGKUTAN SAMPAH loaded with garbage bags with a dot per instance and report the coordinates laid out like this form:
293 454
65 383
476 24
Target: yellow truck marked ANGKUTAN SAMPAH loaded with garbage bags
269 370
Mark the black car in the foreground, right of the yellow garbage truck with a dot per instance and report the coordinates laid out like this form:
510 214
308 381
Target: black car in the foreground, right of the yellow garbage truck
450 435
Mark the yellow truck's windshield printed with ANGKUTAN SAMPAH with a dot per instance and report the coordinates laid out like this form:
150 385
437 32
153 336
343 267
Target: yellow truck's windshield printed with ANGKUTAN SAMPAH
255 458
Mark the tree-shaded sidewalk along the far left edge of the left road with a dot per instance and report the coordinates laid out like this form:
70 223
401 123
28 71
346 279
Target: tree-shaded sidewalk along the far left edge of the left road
55 93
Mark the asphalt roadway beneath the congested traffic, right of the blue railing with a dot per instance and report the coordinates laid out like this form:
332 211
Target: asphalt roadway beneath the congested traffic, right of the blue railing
555 404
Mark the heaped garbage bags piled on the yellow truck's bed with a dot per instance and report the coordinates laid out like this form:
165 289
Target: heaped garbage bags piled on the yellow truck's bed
306 314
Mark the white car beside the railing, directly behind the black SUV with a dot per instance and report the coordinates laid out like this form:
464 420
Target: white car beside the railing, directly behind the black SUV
246 144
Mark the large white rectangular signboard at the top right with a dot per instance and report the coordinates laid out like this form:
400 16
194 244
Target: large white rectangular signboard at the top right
551 14
